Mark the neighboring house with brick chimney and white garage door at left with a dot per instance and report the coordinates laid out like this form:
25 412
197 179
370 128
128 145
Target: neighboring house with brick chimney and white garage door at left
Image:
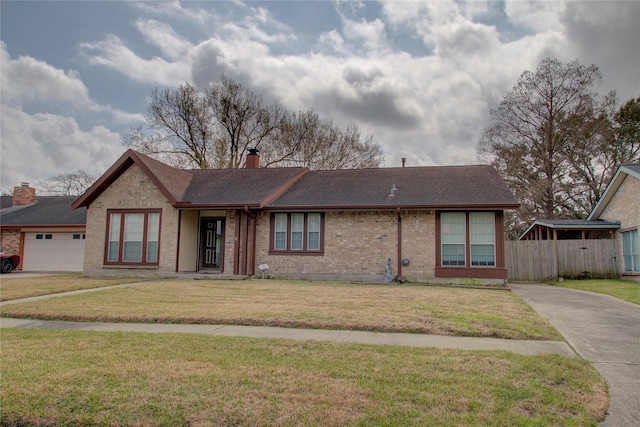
44 230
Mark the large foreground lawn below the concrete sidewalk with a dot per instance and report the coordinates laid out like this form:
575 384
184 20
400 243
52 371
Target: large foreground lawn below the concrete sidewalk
88 378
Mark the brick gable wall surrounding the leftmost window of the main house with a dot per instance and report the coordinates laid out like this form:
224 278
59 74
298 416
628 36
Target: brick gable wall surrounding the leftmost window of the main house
132 190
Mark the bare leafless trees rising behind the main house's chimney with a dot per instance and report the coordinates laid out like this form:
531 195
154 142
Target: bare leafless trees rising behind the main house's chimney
216 128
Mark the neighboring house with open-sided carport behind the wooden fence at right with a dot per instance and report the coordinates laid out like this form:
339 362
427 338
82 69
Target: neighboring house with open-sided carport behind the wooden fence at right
615 216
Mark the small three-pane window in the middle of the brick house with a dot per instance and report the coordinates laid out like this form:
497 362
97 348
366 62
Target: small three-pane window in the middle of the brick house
297 233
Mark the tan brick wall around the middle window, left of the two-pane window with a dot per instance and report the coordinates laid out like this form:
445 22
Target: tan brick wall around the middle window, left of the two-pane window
358 244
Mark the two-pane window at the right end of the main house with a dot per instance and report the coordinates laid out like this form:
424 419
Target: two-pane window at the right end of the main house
467 235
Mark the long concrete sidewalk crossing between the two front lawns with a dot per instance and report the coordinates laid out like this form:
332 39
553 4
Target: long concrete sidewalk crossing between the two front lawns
353 337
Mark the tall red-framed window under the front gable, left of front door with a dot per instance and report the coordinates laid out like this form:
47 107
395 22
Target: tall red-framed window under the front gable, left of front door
133 237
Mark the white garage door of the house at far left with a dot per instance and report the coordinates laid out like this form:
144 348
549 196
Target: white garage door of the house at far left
53 252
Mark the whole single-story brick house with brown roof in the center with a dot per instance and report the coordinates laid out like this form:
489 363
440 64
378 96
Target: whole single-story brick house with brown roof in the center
427 223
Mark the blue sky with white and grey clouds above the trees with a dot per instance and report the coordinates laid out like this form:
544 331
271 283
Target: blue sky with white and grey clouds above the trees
420 76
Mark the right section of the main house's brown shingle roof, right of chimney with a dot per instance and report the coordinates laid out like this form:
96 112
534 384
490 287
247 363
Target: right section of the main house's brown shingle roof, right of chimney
425 187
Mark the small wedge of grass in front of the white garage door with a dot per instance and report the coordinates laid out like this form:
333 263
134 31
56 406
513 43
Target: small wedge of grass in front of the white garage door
15 288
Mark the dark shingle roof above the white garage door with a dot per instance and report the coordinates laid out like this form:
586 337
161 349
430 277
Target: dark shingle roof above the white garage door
48 210
